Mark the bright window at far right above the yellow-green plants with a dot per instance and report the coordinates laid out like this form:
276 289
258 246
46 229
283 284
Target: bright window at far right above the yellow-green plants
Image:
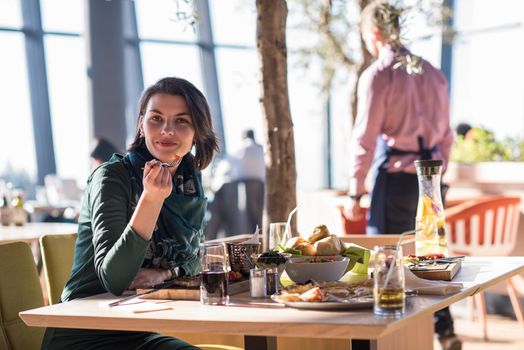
487 86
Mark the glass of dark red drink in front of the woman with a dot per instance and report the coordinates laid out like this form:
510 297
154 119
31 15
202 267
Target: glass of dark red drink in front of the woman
214 265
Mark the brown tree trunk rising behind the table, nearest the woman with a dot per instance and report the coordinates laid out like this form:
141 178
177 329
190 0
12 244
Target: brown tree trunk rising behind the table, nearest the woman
280 197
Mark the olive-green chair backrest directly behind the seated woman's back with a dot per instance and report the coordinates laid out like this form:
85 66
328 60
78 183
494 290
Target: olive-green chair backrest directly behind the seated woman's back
58 252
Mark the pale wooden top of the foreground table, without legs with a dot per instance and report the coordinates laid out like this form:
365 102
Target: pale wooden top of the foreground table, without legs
248 316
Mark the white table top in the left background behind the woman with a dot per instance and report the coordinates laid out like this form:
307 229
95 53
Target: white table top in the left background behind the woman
31 232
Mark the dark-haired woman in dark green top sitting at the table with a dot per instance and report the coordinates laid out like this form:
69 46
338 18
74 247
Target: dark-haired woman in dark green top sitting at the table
141 221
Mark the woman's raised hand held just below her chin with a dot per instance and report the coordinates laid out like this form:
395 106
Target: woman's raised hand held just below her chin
157 180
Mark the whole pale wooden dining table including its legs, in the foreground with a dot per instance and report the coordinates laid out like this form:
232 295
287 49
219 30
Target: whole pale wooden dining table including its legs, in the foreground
262 321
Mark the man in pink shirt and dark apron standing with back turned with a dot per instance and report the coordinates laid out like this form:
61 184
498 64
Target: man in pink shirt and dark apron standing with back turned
402 116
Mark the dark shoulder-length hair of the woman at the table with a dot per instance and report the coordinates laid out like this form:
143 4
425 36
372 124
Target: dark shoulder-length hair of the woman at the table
205 139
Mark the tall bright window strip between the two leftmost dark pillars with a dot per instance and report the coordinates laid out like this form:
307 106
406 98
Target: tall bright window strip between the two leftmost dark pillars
65 57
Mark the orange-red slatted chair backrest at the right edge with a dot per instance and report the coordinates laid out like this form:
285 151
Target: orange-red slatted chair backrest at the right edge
483 227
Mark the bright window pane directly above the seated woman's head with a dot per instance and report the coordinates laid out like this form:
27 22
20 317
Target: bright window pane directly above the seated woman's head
165 60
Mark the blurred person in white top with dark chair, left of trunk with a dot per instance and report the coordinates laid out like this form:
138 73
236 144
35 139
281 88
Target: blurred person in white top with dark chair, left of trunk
238 186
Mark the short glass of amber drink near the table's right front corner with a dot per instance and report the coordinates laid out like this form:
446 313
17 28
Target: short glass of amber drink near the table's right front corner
388 281
